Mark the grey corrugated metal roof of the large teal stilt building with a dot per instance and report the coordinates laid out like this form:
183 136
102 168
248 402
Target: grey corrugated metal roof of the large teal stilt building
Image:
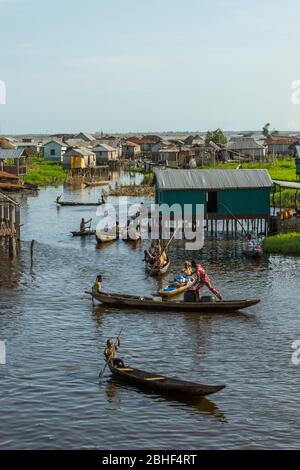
212 179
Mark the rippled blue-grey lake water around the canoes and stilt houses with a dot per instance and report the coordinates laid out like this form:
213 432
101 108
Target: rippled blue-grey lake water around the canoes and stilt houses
50 395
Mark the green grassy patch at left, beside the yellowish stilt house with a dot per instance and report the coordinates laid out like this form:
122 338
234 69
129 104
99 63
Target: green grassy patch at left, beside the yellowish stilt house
44 173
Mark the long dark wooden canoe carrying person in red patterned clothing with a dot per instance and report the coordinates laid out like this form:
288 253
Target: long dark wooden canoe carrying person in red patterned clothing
158 304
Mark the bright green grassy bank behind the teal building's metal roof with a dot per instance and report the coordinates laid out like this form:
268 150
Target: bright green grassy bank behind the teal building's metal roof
284 170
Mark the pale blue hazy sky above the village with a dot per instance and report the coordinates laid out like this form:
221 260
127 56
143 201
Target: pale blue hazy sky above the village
148 65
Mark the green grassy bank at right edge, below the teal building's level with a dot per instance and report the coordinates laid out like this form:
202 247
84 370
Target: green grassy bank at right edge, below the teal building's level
285 243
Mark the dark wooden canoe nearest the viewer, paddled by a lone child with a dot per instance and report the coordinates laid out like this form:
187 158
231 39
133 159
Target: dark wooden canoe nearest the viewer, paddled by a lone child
161 384
